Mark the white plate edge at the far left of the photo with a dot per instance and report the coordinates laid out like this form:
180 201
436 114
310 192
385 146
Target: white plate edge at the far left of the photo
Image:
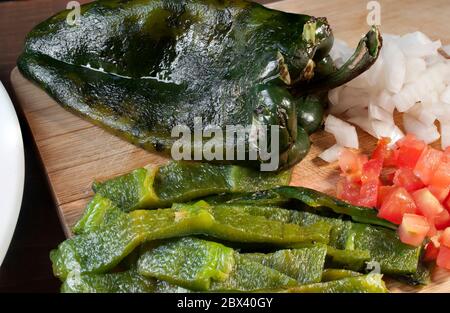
12 171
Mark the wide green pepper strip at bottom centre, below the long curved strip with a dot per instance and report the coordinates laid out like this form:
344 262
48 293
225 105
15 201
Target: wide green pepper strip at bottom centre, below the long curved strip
209 266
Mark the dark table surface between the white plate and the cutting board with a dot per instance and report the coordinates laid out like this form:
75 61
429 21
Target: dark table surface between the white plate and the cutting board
27 267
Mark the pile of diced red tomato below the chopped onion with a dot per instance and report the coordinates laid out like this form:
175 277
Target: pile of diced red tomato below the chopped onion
409 184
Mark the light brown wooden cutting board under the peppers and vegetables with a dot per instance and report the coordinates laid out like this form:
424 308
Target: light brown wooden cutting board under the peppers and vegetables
74 152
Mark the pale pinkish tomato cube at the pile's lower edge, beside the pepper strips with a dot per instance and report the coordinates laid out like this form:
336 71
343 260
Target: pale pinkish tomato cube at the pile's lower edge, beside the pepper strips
413 229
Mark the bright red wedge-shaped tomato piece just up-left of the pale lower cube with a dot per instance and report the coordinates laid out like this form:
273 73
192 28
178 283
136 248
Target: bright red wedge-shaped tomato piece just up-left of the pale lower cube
397 203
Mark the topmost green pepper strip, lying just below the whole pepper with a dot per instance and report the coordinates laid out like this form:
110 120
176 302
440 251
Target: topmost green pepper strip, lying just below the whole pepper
160 186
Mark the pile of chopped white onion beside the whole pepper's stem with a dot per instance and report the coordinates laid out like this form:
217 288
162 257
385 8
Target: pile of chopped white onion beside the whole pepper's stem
411 76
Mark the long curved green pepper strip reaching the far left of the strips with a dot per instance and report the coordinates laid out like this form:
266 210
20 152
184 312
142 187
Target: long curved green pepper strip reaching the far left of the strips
102 249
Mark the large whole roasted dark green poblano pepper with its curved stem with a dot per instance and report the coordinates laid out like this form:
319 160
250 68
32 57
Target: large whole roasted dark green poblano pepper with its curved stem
140 68
